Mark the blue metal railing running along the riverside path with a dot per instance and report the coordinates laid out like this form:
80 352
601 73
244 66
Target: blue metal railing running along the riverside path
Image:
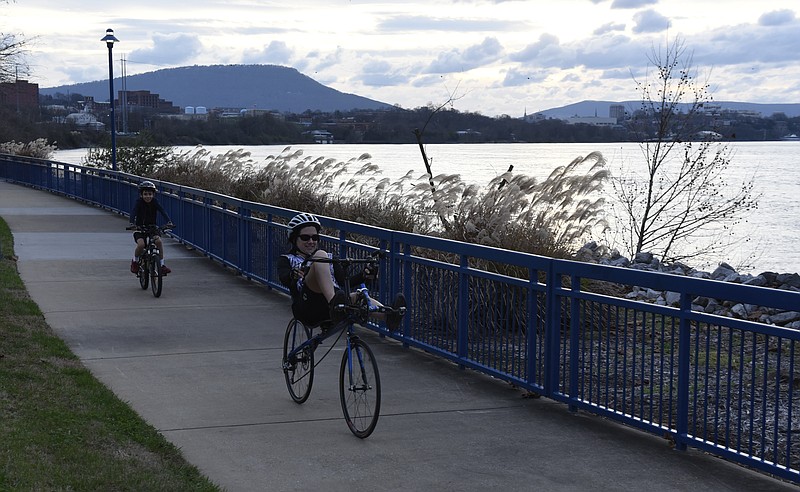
555 327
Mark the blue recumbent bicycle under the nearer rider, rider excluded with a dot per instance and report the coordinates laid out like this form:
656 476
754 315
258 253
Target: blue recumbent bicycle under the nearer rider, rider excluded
359 379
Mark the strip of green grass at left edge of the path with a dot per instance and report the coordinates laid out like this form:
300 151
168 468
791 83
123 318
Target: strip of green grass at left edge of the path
60 428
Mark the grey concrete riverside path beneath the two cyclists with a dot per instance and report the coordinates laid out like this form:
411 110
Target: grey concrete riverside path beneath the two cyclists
202 364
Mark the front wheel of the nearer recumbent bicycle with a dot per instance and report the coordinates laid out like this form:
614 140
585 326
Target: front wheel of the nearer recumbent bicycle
360 388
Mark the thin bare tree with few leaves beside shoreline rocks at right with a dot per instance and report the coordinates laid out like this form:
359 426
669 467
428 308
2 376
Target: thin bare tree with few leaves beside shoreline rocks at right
682 195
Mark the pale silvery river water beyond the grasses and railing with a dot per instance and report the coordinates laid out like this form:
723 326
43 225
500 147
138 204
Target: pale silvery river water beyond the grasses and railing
767 239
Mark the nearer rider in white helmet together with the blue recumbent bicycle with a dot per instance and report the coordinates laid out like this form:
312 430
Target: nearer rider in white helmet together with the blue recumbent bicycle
318 284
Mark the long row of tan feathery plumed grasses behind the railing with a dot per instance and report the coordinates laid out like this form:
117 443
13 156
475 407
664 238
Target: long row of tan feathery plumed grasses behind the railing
513 211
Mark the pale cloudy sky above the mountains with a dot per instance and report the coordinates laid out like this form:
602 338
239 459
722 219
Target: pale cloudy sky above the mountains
494 56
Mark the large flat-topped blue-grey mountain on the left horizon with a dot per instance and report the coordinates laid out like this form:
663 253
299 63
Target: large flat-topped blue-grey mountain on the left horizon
269 87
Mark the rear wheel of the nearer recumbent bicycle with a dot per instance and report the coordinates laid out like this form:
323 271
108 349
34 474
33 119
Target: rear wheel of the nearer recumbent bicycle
299 371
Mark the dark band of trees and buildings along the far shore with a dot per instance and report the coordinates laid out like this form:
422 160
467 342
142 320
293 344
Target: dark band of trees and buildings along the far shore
391 126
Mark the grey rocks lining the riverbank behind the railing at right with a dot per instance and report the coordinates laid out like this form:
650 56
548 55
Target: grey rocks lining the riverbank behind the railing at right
594 253
